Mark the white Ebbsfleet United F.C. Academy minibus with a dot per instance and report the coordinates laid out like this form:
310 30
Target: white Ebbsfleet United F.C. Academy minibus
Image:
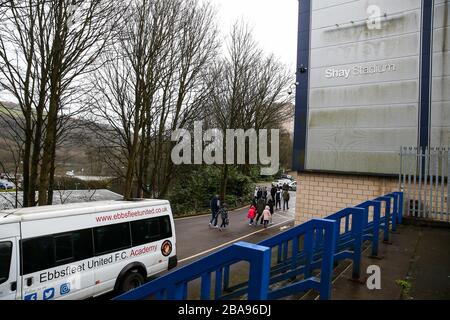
80 251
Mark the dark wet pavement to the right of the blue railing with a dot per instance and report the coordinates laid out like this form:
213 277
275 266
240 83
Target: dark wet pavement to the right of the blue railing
418 256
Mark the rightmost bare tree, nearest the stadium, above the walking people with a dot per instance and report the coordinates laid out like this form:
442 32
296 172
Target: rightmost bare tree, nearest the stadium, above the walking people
249 89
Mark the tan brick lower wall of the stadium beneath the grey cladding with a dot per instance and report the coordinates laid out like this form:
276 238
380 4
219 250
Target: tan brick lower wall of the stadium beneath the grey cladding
320 195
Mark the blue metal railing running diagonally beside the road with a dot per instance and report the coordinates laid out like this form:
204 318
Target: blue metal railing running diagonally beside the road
307 252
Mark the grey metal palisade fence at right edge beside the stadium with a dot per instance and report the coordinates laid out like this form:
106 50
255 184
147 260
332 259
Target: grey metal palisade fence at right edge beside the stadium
424 179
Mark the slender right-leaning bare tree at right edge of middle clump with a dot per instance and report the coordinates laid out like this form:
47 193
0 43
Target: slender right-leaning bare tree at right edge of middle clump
195 50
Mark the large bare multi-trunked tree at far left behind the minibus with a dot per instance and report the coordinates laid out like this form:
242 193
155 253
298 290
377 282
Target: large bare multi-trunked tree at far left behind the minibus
46 48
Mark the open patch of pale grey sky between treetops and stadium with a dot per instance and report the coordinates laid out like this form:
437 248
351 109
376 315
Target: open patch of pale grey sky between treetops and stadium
274 24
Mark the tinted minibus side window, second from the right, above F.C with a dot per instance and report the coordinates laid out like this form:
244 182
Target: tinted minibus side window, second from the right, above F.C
112 238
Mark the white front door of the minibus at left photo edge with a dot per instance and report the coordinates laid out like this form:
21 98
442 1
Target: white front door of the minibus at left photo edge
10 288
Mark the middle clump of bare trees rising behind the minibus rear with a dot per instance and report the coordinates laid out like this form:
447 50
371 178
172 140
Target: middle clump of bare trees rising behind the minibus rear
151 85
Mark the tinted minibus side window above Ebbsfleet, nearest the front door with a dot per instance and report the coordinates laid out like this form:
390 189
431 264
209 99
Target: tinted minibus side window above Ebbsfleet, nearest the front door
38 254
